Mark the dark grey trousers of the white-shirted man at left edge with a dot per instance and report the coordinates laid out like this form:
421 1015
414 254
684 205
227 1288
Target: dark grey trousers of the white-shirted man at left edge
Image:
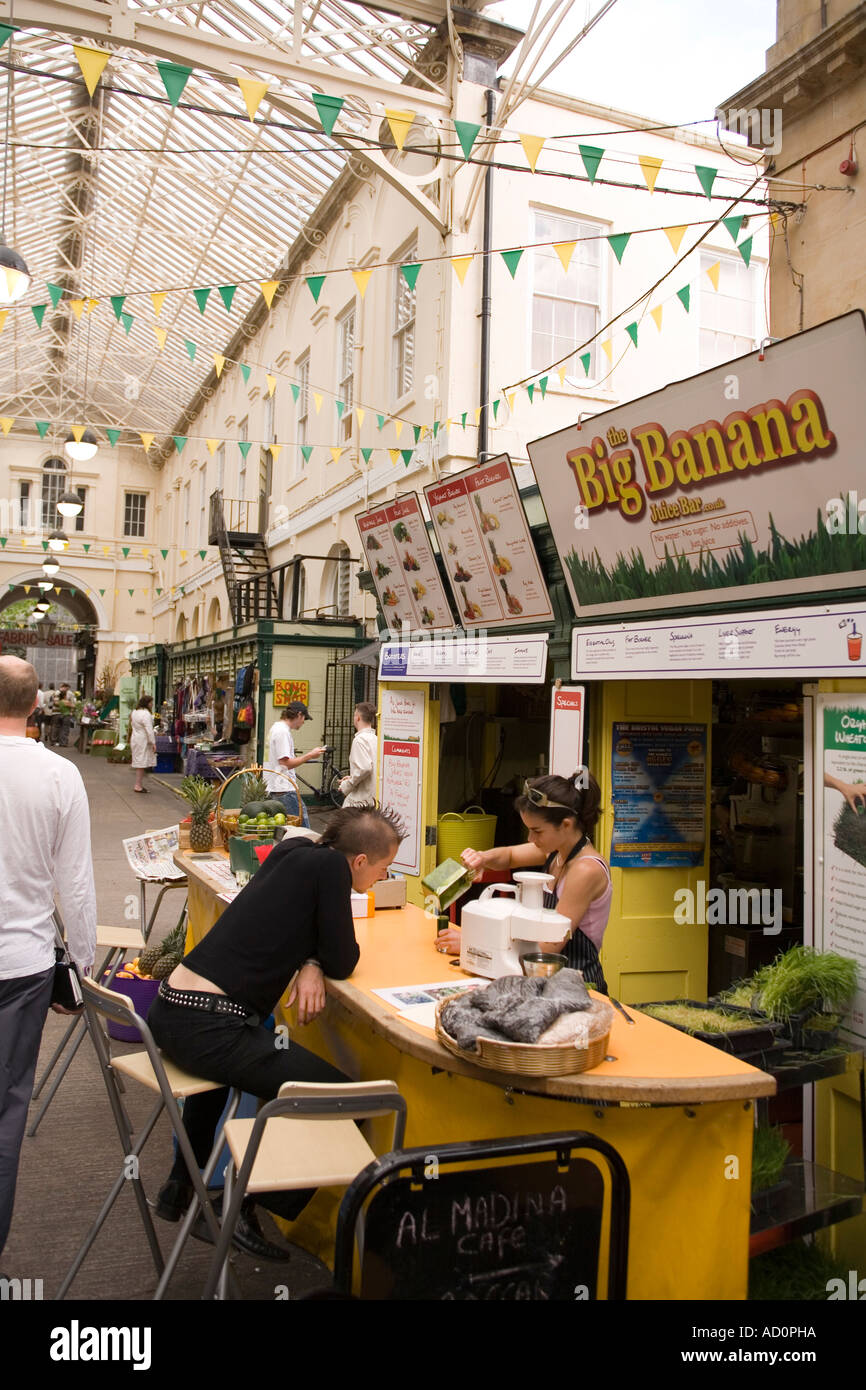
24 1004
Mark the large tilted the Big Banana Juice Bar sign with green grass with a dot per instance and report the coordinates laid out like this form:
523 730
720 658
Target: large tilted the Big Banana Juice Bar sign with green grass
724 487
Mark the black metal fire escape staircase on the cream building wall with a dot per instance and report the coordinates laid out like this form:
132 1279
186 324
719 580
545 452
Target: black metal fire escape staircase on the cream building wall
247 565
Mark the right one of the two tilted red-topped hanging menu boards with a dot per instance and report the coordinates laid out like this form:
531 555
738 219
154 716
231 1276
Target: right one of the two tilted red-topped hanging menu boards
487 550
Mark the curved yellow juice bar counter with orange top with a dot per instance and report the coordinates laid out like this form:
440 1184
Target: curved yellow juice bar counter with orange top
679 1113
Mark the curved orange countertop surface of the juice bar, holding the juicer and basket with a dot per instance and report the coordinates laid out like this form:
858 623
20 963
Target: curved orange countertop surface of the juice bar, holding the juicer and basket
651 1063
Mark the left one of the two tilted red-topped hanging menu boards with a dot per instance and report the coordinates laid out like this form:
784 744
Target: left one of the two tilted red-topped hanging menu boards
404 568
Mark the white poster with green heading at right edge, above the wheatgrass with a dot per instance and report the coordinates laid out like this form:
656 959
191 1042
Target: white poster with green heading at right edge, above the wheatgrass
842 849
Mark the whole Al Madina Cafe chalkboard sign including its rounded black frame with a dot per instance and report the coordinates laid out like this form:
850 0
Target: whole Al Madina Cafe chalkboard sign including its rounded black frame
457 1221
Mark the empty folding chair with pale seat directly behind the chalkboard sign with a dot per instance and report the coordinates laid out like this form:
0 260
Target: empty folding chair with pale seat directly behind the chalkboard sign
280 1152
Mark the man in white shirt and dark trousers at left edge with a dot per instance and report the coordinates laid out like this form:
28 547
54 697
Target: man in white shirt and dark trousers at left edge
45 851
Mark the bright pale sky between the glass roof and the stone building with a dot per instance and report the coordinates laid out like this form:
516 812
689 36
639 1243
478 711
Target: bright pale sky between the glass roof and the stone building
669 59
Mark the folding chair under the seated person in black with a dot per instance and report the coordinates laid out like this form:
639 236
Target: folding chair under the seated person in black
172 1085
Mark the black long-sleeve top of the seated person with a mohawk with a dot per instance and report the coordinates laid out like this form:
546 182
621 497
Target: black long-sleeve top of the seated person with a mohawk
297 907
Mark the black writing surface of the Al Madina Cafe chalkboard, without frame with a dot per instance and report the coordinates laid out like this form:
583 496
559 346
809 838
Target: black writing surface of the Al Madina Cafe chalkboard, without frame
526 1231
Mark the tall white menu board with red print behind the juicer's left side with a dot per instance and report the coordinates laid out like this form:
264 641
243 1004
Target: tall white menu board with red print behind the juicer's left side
402 730
